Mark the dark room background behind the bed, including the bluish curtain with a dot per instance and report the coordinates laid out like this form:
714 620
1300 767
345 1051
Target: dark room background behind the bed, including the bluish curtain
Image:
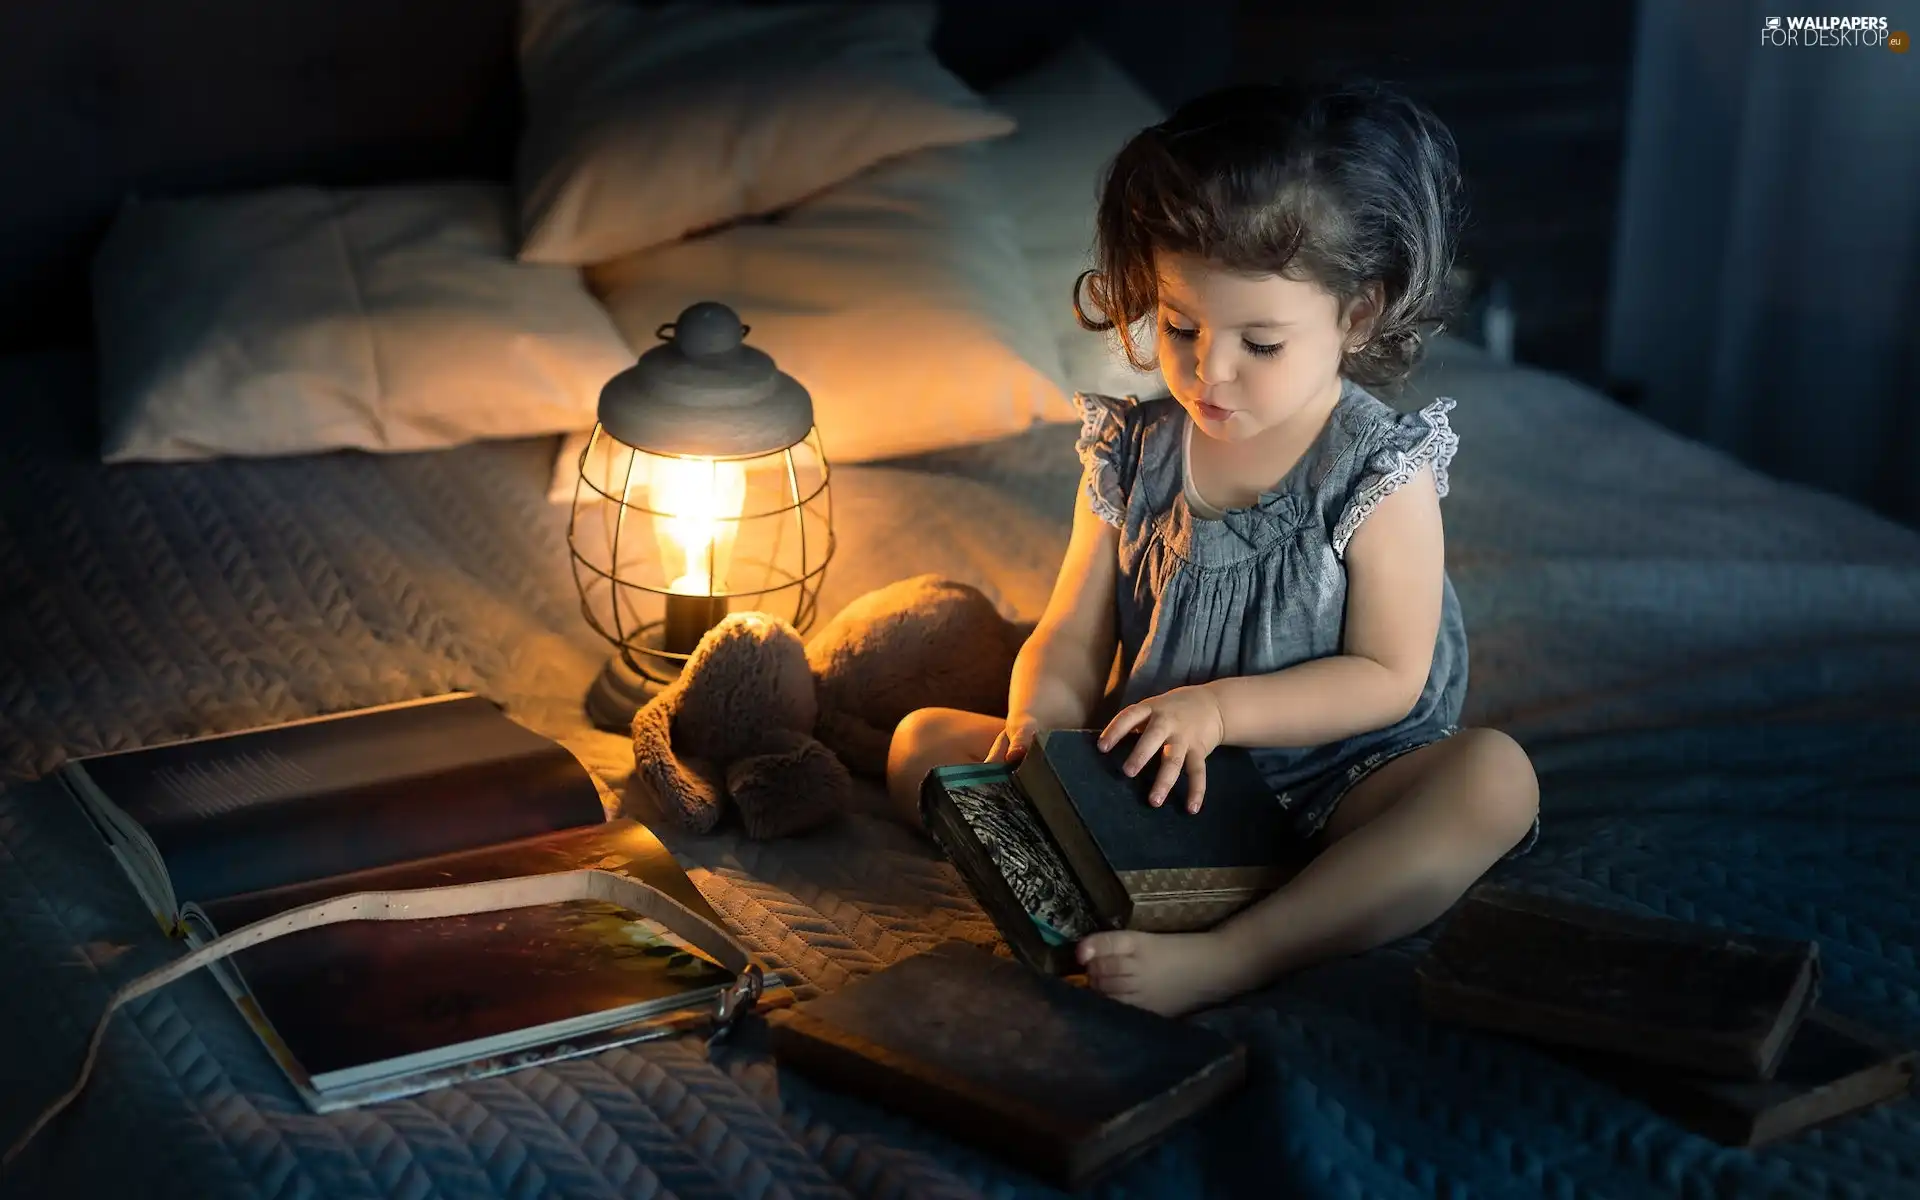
1648 249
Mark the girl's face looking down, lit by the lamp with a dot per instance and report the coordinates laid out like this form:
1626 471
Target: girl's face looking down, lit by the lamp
1249 352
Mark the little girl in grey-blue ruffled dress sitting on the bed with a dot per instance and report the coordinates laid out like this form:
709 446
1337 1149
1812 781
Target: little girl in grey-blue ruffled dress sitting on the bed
1264 548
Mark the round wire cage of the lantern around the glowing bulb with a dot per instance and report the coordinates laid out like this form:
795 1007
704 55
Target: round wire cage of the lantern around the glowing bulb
765 548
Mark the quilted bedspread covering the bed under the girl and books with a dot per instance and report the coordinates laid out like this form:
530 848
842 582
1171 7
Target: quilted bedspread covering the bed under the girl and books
1716 675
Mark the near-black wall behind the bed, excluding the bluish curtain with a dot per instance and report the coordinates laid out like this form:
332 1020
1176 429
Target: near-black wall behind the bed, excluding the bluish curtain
103 95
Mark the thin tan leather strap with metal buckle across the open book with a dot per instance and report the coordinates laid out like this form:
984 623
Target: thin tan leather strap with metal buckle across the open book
414 905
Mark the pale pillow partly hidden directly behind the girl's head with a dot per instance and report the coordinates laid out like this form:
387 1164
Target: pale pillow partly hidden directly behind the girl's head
1074 114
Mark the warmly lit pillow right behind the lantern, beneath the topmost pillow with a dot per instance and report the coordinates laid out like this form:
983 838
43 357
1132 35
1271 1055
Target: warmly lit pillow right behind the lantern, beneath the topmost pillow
898 299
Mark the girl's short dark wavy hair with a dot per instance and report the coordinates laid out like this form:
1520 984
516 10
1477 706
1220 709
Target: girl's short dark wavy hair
1345 187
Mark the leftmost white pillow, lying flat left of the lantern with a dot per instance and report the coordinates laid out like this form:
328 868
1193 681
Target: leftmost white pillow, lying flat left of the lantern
300 322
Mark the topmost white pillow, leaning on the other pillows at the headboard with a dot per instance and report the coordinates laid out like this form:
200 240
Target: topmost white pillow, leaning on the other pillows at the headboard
650 122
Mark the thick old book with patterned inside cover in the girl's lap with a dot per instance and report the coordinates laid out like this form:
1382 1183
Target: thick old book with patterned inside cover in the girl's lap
1065 844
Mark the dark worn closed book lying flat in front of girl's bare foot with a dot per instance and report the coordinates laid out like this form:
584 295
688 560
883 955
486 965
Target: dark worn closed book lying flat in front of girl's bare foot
1055 1078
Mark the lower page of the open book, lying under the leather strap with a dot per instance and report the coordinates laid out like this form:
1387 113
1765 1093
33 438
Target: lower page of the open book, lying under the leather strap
354 1003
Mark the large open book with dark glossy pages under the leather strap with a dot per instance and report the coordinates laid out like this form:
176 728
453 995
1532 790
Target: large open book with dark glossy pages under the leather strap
229 830
